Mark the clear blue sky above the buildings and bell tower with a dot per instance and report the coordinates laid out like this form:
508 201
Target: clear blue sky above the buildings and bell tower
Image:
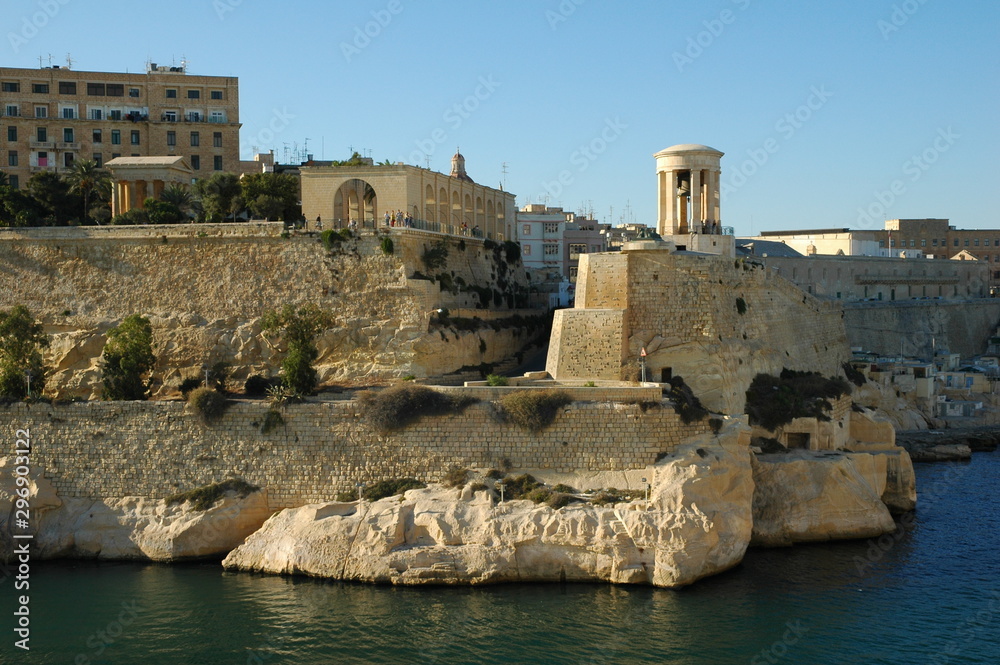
831 114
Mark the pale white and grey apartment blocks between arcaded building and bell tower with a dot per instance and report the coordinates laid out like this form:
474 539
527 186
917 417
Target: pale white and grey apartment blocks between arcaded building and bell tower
553 239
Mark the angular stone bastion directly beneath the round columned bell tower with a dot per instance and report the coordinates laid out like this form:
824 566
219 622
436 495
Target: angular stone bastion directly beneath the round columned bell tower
717 322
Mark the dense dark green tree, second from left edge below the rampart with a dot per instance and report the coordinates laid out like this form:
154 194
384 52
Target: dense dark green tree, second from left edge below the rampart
128 359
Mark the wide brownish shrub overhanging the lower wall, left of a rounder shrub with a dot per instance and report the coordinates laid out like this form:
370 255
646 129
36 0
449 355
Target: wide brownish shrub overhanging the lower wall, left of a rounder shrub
396 407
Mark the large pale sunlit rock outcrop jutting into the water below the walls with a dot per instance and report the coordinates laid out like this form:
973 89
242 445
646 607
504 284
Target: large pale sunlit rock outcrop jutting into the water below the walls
697 523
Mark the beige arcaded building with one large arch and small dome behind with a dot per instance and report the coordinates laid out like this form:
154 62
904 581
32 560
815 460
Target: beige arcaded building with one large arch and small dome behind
451 204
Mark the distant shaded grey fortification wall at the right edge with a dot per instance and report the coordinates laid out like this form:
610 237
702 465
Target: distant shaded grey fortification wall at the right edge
918 327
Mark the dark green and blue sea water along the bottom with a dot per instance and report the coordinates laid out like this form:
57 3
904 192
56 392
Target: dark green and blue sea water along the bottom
930 594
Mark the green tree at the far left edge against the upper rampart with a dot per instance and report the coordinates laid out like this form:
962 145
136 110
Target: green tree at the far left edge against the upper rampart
21 341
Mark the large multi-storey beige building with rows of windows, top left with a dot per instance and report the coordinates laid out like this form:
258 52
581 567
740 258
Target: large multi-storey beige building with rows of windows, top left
54 116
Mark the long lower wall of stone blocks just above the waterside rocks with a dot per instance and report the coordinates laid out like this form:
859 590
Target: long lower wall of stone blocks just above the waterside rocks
154 449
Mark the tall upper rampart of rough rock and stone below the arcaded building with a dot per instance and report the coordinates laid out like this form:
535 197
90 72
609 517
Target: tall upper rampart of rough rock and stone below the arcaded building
205 296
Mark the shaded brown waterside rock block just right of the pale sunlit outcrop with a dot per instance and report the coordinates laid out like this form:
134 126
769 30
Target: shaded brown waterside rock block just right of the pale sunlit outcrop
814 496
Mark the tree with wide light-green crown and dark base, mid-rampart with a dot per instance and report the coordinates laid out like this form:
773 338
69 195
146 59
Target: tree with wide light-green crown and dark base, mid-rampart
298 327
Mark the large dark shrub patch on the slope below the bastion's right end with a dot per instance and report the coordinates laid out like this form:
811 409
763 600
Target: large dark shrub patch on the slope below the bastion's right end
773 401
